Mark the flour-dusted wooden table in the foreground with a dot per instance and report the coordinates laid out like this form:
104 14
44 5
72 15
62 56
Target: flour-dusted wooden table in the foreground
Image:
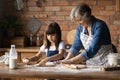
58 72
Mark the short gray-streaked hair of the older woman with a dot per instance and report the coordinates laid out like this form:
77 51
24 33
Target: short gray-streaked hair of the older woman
82 11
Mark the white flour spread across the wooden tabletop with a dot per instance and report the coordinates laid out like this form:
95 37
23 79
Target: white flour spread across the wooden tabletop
58 68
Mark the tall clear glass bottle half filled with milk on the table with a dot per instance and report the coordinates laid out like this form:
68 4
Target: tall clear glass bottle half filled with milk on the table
13 58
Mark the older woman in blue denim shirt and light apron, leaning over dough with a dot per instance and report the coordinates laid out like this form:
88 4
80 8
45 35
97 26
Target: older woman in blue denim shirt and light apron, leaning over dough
93 35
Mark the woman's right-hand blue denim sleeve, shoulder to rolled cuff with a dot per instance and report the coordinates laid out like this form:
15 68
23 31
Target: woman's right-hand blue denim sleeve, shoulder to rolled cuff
101 36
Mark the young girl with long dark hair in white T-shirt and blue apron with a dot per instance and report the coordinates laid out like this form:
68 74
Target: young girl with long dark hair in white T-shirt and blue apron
53 46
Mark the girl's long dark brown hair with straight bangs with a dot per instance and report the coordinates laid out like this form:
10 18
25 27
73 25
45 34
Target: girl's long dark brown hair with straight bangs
53 28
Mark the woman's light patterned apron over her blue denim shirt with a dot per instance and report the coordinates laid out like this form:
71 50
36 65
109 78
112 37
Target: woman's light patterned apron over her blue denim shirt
101 56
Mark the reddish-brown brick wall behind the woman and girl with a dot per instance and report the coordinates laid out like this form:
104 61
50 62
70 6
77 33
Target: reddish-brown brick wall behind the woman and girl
59 10
